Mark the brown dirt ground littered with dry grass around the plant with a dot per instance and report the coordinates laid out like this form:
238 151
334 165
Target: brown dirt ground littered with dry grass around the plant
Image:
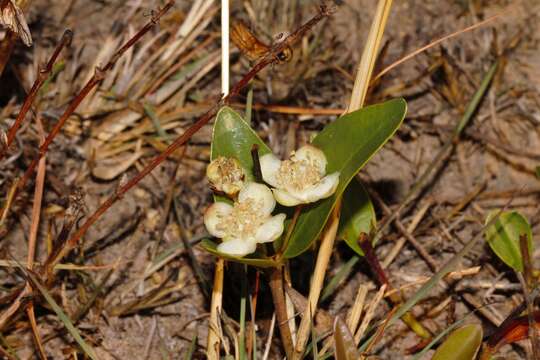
111 137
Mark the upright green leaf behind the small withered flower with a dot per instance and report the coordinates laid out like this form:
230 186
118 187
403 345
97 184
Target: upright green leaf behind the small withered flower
233 137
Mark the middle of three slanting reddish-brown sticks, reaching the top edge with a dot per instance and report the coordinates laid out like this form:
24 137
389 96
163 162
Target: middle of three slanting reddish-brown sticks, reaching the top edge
95 80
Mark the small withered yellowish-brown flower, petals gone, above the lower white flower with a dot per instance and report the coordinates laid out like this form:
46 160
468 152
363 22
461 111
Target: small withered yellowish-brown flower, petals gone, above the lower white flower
225 175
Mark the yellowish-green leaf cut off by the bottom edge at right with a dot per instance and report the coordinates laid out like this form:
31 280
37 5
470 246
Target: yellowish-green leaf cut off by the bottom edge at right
461 344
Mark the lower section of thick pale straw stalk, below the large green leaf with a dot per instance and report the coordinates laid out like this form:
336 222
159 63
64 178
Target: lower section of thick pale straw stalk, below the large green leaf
323 258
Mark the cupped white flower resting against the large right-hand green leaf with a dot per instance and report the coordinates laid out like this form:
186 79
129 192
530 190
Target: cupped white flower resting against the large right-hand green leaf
301 179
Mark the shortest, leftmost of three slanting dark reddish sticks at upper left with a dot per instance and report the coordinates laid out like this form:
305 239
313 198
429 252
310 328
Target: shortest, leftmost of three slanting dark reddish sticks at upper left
42 76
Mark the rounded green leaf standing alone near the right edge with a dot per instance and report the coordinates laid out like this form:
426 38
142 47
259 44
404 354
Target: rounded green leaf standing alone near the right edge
503 237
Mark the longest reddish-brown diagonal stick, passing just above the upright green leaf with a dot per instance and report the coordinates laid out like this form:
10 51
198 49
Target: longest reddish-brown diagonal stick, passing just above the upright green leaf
268 59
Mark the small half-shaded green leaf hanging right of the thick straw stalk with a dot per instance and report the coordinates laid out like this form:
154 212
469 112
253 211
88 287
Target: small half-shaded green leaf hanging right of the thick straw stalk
357 215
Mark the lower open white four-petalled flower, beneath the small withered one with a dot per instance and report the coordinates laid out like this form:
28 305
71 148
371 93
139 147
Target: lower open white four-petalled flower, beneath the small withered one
247 222
